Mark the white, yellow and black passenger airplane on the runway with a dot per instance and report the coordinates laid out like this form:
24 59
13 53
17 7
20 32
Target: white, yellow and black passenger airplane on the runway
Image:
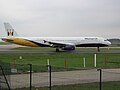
60 43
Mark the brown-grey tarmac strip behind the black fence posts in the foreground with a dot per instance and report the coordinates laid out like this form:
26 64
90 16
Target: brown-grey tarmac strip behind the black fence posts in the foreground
65 77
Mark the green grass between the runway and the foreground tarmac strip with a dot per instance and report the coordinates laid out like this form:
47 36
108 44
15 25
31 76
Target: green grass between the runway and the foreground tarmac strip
57 60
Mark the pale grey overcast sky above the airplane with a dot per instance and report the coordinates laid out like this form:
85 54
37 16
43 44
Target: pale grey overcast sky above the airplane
76 18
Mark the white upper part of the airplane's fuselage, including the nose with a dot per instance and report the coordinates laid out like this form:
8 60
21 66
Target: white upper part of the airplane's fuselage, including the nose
76 41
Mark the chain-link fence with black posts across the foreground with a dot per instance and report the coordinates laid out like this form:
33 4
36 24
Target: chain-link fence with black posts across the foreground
39 77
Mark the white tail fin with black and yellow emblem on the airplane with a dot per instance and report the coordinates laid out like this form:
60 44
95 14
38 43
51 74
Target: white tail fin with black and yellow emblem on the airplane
10 31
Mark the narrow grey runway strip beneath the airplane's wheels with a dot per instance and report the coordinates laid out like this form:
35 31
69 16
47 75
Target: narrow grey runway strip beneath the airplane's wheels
52 51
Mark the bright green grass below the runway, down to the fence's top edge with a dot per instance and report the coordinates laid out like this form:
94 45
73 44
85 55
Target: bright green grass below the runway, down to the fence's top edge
73 60
